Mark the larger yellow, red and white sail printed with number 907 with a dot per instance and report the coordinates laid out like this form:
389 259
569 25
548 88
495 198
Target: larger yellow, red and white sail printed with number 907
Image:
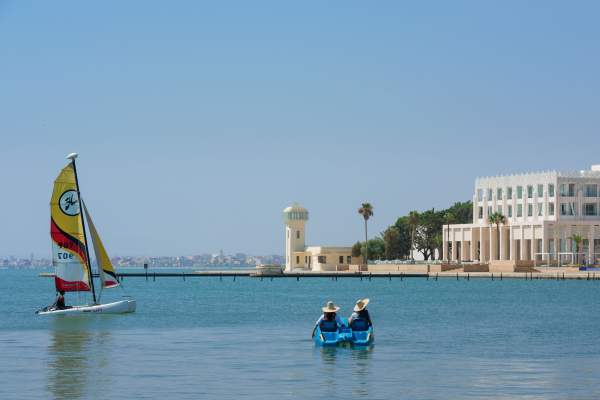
66 231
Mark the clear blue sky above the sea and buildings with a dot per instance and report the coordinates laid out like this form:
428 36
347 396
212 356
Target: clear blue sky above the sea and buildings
198 122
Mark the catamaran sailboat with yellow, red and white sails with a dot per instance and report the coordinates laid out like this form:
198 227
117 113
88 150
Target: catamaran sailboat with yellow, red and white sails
70 251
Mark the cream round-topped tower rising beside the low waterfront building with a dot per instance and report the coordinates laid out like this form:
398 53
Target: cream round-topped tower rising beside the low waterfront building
295 217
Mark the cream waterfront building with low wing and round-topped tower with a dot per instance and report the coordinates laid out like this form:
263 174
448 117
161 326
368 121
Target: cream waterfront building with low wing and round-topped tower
312 258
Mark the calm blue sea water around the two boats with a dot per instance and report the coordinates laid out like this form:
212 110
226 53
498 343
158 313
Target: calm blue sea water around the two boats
250 339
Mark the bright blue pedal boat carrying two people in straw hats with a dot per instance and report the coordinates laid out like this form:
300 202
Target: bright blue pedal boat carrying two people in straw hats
328 334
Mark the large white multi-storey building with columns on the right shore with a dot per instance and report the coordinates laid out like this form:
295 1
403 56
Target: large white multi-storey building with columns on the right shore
543 211
